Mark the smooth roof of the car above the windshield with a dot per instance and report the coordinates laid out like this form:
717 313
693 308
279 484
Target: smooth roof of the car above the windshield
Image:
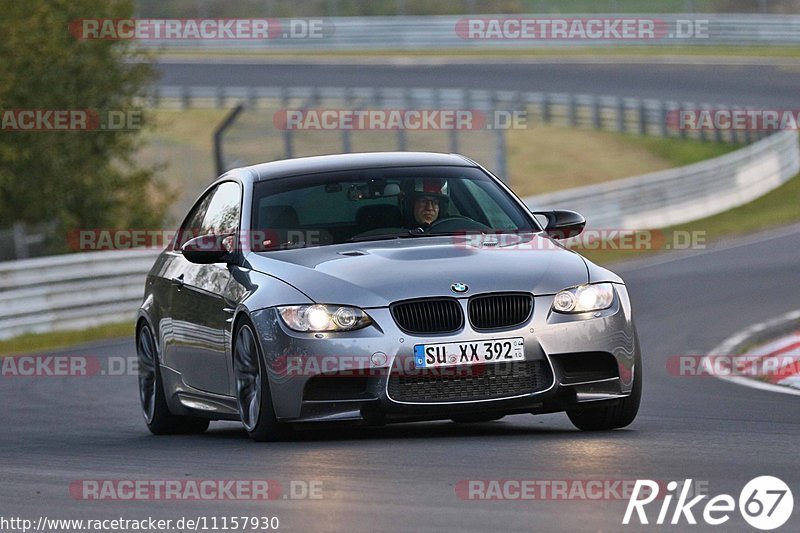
357 161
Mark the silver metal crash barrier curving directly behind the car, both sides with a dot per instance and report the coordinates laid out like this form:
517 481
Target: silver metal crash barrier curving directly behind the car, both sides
81 290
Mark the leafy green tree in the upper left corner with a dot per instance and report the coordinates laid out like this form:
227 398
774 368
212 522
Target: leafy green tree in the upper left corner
77 179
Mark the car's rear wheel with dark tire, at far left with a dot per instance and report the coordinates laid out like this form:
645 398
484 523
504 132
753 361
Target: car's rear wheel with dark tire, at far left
157 416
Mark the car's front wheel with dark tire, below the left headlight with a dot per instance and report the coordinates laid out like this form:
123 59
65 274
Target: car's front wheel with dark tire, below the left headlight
253 396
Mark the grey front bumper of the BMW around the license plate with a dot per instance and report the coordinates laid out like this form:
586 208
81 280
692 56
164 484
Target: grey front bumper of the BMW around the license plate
346 376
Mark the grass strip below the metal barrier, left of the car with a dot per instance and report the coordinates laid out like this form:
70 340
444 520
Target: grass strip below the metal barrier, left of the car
38 342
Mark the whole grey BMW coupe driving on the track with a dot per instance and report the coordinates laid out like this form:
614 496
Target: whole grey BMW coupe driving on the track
376 288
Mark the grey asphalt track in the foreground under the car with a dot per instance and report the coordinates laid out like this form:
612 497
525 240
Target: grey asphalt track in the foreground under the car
403 478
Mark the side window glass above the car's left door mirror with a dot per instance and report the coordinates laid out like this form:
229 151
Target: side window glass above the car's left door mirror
217 212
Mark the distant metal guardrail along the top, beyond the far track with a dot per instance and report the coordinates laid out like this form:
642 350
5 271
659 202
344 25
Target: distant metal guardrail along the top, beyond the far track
440 33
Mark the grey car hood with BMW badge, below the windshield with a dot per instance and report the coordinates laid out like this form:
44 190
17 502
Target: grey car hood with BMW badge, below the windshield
377 273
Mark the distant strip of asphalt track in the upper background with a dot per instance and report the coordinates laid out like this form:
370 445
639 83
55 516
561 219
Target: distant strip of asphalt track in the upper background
750 83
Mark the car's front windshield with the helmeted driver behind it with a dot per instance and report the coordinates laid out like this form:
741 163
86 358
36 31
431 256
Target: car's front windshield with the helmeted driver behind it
375 204
